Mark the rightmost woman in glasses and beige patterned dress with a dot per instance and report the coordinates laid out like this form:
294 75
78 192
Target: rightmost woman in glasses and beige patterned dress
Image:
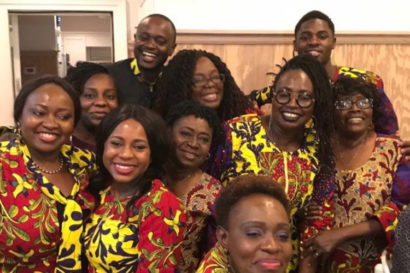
372 183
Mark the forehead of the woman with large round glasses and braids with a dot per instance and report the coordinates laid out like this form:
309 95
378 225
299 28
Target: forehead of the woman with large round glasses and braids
295 79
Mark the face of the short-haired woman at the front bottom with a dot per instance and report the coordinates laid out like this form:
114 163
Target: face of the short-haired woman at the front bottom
258 235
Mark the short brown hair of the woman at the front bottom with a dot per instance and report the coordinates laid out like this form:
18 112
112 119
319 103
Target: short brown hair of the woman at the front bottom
244 186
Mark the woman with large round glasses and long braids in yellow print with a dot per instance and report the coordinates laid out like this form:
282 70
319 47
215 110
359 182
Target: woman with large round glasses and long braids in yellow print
287 145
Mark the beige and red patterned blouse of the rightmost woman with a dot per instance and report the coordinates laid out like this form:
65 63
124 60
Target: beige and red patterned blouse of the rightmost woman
365 193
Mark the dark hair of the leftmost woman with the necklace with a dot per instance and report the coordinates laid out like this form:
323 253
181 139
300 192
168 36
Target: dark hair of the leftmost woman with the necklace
32 85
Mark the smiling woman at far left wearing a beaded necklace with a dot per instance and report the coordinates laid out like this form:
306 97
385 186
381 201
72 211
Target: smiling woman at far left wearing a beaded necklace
42 182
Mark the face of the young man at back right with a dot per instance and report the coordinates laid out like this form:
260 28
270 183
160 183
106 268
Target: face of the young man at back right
316 38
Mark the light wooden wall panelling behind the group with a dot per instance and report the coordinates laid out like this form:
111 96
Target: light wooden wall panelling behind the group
251 56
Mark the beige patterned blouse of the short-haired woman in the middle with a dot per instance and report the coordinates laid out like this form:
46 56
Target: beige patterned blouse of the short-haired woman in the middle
200 233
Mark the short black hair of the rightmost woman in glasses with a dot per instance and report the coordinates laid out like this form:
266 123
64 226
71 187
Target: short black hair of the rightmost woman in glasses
347 86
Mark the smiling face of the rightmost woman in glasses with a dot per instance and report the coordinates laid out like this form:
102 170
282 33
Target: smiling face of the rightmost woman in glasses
355 120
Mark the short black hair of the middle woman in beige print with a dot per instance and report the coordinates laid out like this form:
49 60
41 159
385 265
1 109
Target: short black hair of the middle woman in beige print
192 108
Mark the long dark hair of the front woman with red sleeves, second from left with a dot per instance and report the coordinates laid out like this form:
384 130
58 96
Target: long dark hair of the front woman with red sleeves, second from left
159 144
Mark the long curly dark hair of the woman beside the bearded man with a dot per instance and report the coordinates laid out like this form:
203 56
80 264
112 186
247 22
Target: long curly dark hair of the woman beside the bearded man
175 85
